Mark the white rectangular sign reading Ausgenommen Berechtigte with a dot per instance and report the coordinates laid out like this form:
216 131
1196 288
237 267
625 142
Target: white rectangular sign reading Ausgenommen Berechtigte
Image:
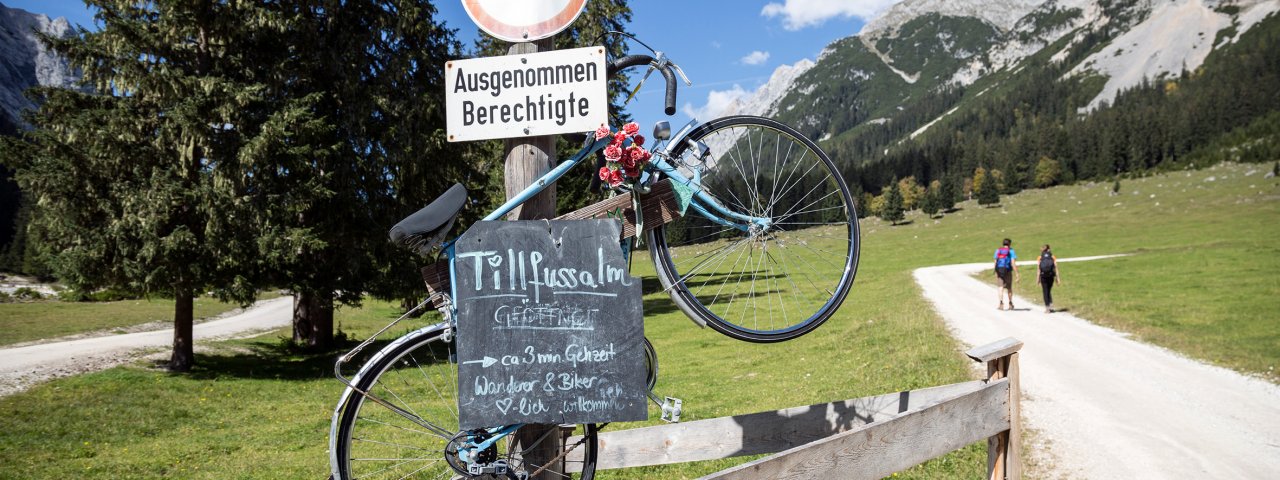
561 92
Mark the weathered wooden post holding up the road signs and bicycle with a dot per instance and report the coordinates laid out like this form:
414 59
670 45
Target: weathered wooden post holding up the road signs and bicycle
528 159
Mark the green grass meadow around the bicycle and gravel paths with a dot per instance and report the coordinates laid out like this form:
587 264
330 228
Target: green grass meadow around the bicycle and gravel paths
1201 281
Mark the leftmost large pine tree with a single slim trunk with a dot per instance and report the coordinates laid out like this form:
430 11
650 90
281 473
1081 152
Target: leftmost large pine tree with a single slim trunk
141 188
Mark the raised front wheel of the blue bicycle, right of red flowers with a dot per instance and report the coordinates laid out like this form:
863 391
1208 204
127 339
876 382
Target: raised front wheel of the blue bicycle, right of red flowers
780 276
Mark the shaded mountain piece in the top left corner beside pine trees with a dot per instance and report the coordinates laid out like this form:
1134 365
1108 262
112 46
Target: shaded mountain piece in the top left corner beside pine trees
26 63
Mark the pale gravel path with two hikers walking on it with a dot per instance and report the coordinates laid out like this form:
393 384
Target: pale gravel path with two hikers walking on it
1110 408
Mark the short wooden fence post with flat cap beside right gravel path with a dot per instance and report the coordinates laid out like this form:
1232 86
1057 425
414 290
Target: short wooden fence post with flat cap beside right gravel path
1004 450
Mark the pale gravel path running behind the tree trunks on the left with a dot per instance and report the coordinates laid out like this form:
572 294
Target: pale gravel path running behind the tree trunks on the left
25 367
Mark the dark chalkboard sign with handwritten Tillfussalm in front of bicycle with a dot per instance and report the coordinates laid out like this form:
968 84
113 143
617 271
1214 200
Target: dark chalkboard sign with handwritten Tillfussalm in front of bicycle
551 326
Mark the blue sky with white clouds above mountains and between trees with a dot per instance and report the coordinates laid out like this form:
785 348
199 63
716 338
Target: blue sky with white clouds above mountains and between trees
728 48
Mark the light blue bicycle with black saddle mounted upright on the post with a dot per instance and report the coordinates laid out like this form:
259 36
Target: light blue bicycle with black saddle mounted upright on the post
772 232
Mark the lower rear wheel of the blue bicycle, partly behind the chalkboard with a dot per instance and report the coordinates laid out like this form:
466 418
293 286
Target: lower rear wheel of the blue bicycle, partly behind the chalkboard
406 423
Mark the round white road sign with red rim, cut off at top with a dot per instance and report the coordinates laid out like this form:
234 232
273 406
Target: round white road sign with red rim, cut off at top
523 21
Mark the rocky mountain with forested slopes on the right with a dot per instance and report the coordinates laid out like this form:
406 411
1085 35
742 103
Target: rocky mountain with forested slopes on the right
939 88
